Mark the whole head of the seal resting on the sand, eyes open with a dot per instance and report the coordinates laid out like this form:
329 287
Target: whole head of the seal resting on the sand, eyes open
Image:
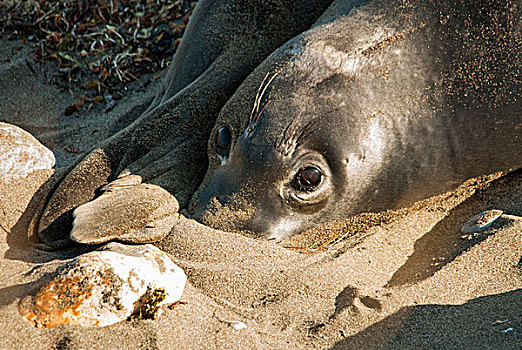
292 157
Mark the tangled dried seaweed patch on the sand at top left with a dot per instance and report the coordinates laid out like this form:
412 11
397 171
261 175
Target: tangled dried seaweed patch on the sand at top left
98 46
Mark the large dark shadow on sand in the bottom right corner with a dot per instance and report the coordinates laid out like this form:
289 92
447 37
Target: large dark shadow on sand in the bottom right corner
489 322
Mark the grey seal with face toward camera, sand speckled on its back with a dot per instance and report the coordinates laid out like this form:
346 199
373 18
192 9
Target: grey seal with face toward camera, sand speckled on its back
379 107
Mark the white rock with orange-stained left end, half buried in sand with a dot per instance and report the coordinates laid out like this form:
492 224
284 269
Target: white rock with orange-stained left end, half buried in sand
106 286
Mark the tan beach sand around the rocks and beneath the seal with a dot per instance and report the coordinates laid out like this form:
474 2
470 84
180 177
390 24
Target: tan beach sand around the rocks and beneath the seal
405 279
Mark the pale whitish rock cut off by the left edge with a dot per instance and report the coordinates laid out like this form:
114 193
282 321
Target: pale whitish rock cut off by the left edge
21 153
